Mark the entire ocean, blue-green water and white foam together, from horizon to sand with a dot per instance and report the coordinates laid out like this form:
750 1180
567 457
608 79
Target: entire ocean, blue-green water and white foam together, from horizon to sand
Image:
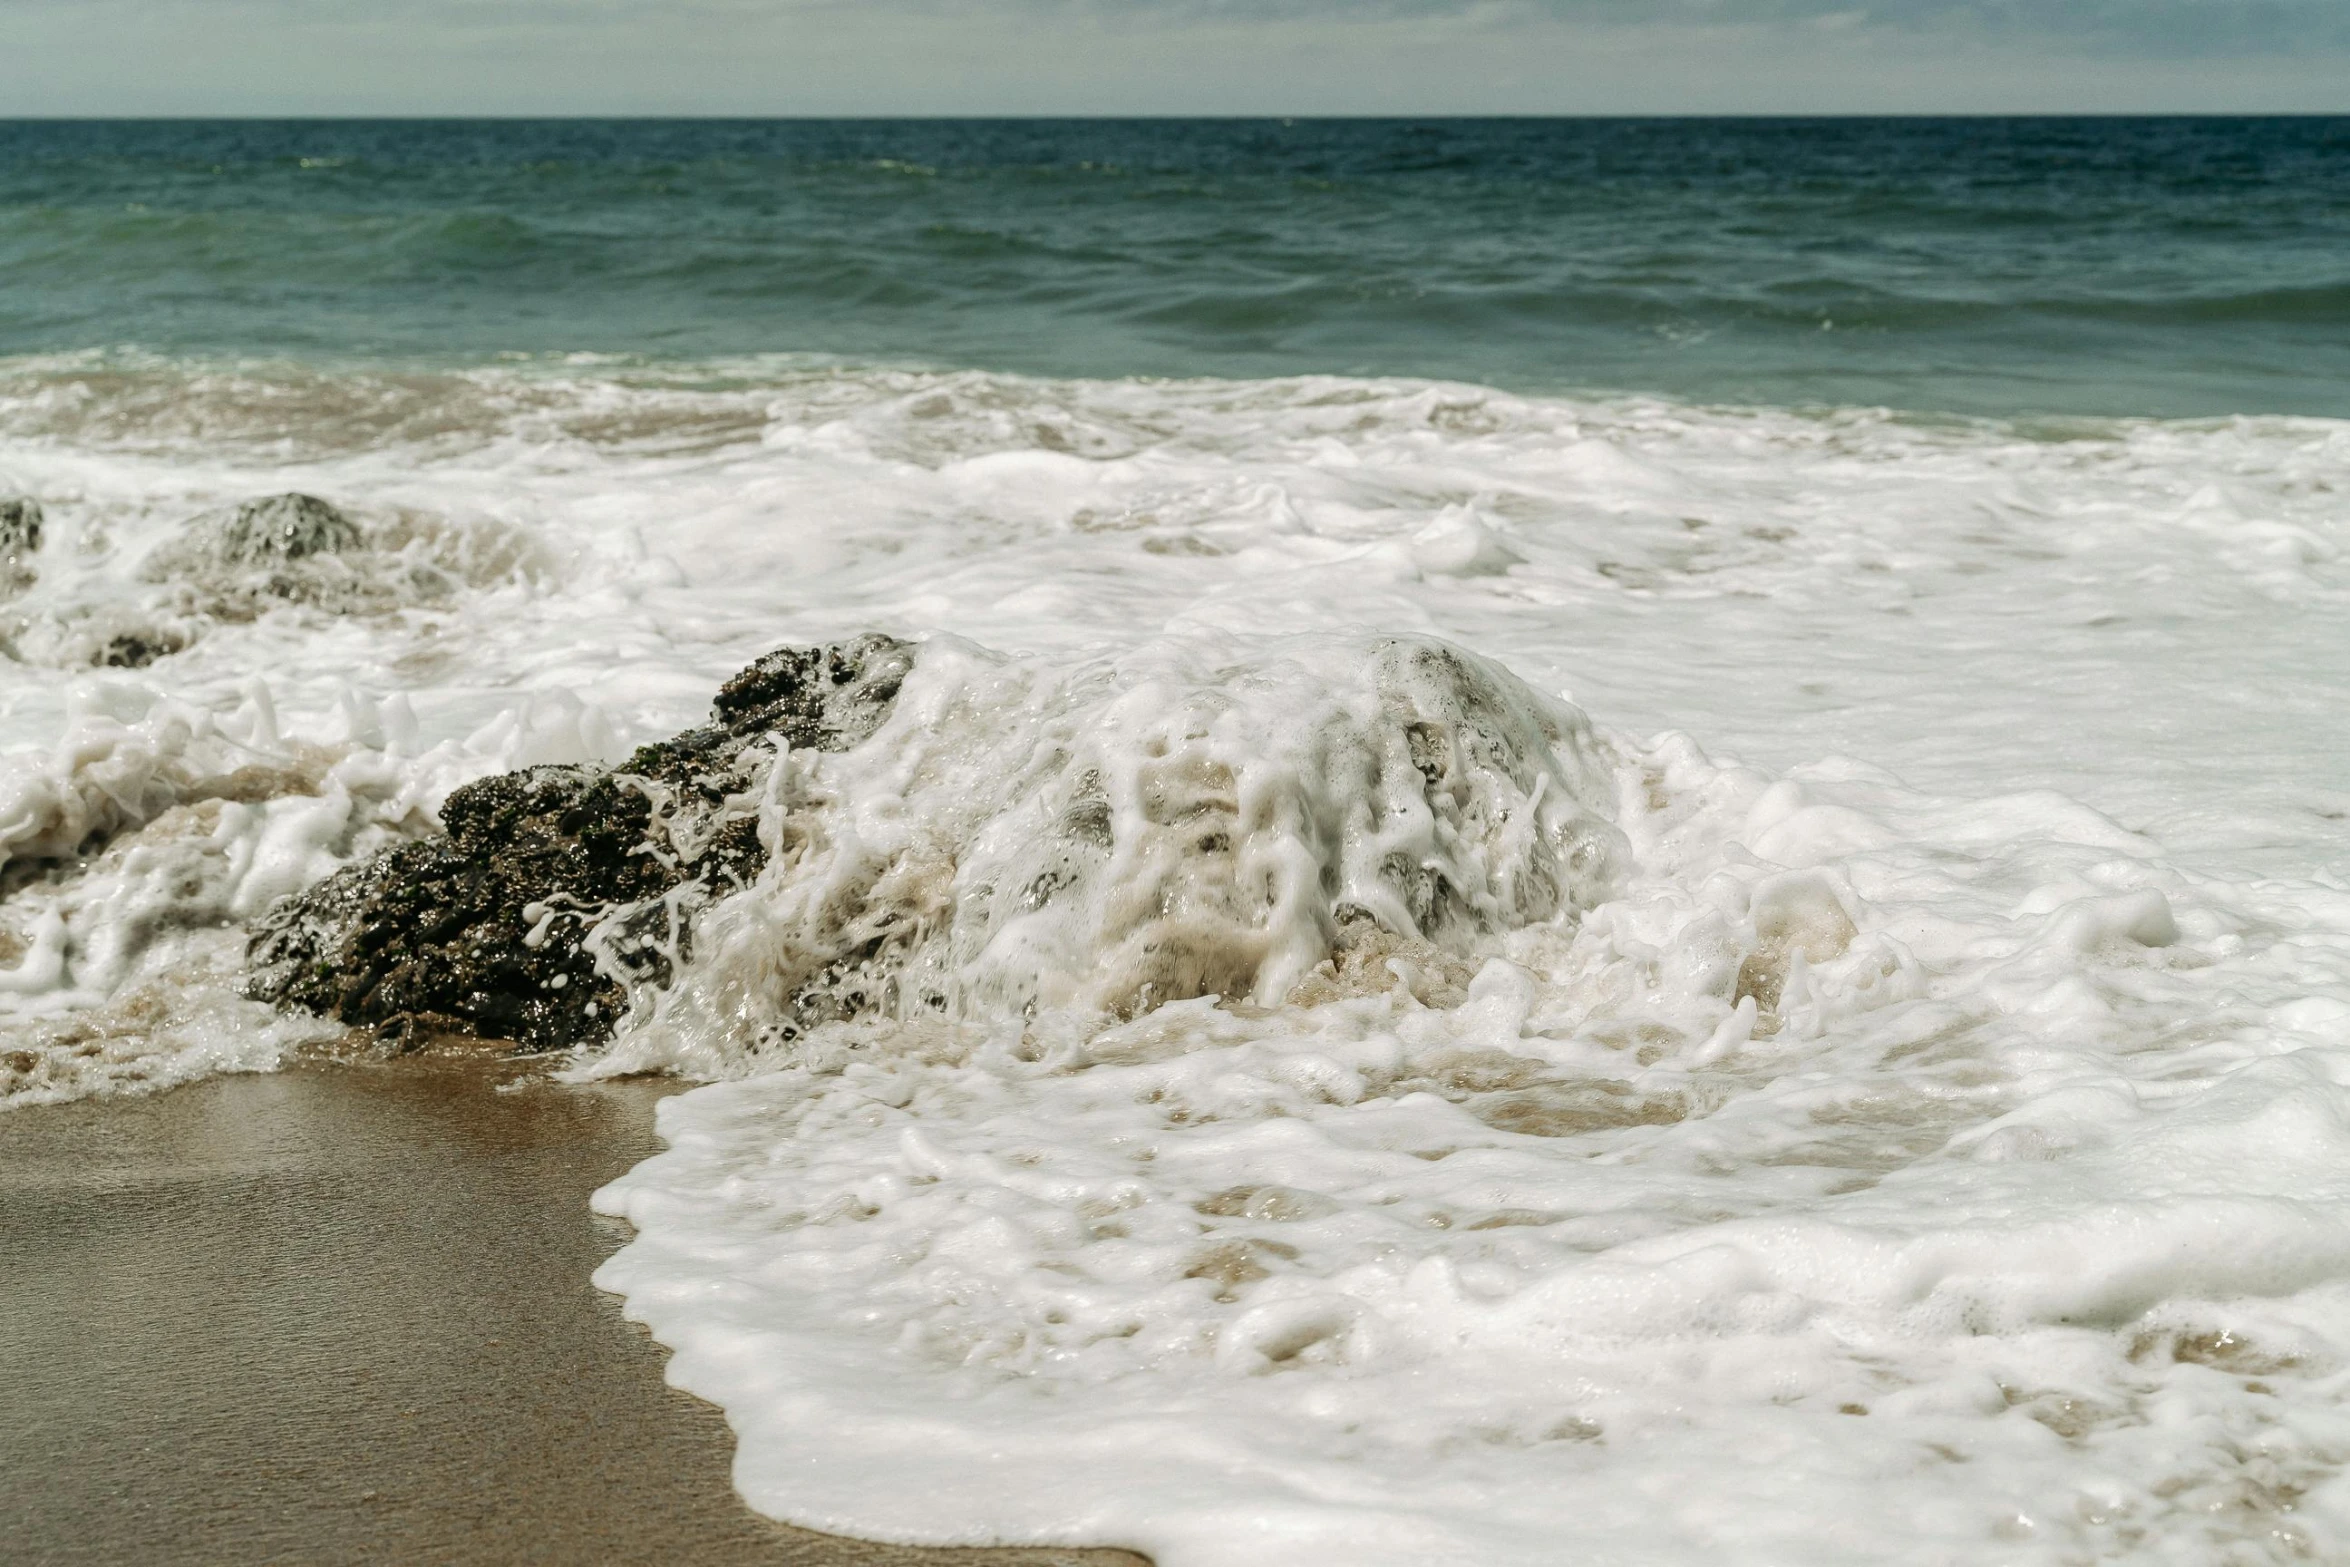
1609 842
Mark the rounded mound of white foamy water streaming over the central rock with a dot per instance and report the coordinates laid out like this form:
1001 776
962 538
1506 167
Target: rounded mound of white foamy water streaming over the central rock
1183 821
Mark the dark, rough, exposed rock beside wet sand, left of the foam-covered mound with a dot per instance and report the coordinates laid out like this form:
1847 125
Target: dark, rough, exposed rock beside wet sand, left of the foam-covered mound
560 880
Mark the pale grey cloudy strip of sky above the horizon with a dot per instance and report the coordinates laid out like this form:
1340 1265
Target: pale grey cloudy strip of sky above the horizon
1169 58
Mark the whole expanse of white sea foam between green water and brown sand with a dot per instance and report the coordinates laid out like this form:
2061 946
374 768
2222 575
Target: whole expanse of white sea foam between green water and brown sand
1933 1157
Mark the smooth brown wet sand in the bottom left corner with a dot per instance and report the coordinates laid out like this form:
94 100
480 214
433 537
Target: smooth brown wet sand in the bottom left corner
342 1314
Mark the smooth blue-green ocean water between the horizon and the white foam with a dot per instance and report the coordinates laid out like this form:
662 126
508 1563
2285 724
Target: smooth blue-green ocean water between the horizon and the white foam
1978 267
